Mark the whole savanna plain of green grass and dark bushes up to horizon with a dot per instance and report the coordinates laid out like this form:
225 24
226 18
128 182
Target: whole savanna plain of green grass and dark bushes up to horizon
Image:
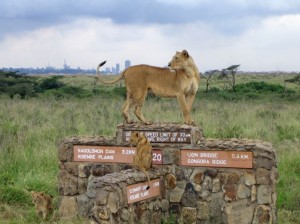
33 122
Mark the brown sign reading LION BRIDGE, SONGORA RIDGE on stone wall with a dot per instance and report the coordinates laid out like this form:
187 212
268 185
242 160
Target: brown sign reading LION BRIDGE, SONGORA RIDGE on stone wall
229 159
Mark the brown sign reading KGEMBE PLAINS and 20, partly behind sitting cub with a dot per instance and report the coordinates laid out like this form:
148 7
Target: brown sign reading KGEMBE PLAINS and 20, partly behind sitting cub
110 154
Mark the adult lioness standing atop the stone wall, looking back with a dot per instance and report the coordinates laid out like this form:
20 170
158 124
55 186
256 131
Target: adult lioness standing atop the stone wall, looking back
180 80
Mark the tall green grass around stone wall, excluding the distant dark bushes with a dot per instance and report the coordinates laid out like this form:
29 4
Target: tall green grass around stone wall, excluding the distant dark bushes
31 129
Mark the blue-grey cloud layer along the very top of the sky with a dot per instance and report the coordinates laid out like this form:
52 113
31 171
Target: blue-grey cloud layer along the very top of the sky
26 15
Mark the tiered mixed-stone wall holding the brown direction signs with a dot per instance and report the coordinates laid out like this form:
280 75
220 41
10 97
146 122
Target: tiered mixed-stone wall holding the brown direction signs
199 194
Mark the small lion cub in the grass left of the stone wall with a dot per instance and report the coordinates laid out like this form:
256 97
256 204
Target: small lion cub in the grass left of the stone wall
43 203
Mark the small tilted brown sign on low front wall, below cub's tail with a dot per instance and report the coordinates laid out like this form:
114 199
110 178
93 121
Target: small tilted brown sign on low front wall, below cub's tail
138 192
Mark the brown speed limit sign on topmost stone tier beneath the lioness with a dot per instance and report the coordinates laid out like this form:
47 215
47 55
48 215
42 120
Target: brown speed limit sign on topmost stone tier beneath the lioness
163 136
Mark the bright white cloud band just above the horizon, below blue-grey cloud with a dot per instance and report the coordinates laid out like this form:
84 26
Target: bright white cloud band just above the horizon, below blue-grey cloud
272 44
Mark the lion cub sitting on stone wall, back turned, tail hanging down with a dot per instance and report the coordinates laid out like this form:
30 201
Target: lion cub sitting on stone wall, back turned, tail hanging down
143 157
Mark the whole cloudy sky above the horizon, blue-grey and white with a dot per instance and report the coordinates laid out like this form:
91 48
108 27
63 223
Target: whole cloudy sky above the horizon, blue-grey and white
260 35
